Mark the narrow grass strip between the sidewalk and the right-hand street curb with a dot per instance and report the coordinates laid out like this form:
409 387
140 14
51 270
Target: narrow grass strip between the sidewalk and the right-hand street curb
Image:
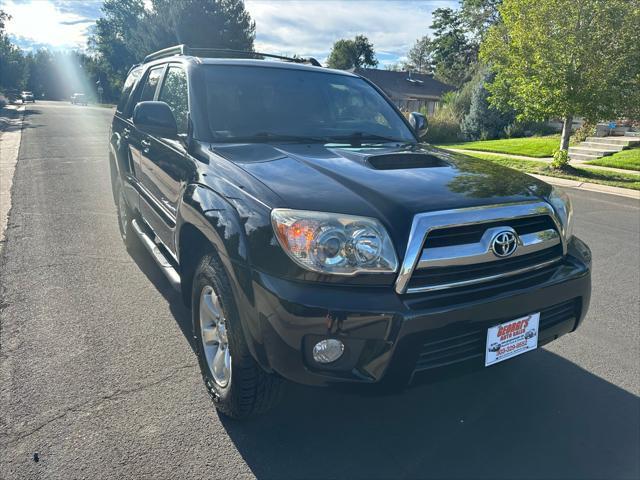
614 179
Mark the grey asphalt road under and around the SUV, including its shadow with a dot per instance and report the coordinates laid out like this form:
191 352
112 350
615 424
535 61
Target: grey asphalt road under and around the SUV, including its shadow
99 379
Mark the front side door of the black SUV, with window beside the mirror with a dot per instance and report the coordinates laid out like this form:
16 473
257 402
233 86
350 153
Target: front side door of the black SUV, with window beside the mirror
166 165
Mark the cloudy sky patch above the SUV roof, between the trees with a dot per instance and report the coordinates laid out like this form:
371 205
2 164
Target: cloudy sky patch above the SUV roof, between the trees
309 28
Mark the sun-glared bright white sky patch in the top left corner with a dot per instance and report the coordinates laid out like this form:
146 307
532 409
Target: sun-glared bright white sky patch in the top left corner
42 22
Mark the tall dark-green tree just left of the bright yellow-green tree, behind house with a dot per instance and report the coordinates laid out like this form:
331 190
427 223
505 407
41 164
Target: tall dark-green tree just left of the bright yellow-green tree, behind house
453 52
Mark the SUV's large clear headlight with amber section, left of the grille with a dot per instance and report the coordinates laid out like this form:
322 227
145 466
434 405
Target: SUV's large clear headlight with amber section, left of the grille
334 243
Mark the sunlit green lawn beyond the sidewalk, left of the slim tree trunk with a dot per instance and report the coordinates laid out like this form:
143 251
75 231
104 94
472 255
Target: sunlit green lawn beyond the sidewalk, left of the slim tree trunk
530 146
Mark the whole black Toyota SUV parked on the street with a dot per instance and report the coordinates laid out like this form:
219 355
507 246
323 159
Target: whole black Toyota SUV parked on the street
316 239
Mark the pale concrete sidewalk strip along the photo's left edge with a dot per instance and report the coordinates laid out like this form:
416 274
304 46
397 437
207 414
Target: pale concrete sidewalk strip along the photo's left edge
11 118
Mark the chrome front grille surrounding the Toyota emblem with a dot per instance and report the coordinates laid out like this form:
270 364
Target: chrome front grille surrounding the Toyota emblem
453 248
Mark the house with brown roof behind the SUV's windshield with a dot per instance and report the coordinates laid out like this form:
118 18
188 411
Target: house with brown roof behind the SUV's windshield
410 91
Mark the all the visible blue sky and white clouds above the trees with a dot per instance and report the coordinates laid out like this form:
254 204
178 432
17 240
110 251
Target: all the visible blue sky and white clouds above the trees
305 27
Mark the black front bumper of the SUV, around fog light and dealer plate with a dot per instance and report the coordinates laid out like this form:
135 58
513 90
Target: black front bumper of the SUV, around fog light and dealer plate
391 338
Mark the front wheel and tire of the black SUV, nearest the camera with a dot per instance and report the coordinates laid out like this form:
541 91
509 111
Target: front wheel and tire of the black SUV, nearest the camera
248 390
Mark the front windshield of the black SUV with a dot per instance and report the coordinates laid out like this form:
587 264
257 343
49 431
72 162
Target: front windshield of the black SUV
258 104
